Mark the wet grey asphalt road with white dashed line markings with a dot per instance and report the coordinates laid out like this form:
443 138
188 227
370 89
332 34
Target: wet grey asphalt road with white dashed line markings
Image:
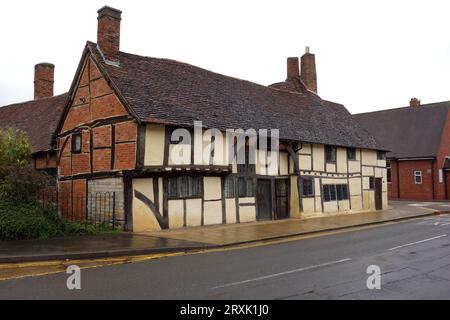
413 256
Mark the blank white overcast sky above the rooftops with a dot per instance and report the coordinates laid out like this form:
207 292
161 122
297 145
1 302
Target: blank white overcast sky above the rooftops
370 55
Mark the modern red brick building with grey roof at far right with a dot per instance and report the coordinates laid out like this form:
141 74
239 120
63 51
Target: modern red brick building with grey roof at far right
418 137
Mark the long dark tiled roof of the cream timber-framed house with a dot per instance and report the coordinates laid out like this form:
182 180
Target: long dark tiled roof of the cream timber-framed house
168 91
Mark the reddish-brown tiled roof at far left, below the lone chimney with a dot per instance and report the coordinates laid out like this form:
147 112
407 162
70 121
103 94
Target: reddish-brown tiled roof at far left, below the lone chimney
38 118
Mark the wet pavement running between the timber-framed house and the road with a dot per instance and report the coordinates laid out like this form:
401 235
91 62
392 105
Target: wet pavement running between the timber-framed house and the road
200 238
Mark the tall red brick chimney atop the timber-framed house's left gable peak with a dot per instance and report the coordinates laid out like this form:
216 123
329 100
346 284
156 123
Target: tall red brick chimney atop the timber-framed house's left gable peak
108 32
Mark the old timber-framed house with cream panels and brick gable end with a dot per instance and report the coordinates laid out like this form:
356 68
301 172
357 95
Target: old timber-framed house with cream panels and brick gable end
119 130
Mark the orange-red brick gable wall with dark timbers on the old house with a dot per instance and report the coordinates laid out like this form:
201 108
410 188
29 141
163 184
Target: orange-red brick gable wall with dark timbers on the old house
113 144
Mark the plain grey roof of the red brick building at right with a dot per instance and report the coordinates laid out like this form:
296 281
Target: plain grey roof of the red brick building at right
409 132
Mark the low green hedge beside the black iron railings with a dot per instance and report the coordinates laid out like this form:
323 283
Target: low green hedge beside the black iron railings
19 221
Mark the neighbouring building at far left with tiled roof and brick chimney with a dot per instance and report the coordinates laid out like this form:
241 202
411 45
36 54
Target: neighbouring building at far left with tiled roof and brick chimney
38 118
